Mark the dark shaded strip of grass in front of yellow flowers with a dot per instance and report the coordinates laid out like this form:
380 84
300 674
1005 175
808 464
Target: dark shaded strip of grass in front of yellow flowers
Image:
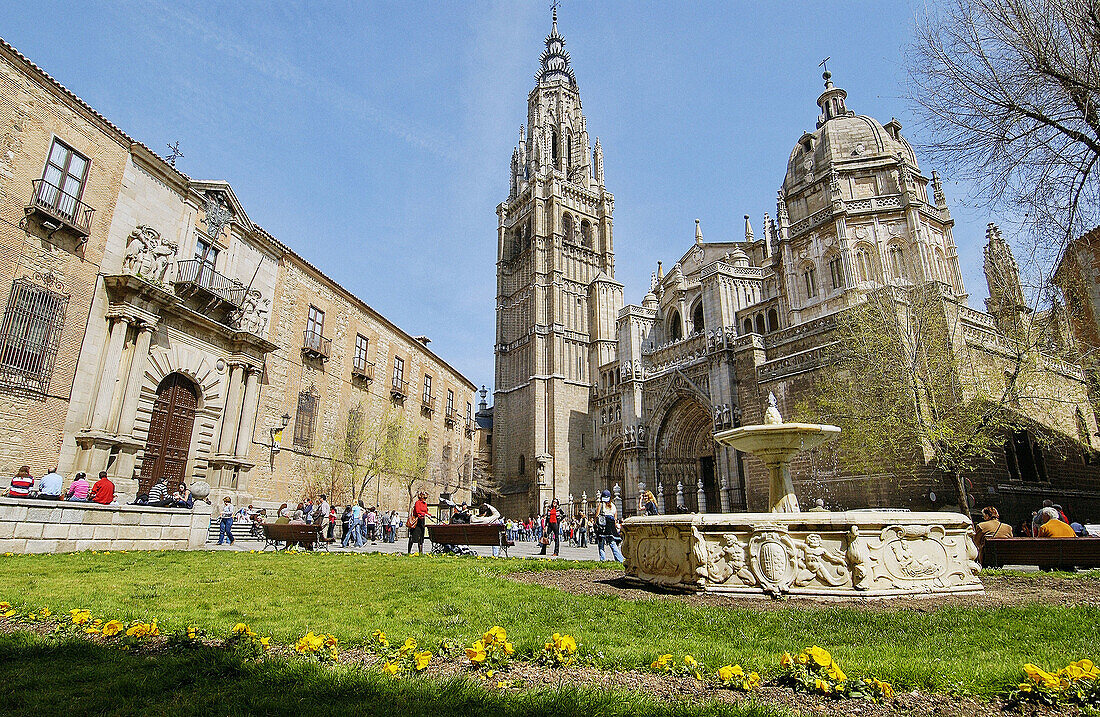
46 677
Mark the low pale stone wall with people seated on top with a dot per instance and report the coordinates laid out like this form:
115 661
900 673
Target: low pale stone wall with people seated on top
29 526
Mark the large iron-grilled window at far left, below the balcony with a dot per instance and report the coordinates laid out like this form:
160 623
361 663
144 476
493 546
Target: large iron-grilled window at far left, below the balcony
30 336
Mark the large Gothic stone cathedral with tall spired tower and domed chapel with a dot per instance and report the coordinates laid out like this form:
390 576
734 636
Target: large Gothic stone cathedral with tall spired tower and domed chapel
593 394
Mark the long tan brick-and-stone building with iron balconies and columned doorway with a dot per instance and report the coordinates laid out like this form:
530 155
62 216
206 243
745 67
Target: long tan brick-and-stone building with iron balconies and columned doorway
155 332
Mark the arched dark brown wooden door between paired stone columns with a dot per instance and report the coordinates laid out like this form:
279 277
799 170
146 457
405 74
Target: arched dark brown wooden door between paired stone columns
170 433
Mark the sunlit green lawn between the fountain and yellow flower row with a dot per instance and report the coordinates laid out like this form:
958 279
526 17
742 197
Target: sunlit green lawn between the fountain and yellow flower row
973 650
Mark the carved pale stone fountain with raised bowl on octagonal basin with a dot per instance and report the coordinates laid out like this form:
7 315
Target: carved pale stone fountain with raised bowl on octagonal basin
841 555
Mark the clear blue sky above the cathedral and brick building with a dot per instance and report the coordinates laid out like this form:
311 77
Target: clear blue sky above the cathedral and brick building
376 138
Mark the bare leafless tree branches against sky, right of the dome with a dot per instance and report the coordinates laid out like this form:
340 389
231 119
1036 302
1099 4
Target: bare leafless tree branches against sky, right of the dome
1009 92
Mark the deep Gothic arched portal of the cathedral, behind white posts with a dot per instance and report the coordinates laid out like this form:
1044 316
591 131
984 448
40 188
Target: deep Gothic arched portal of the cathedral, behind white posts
685 454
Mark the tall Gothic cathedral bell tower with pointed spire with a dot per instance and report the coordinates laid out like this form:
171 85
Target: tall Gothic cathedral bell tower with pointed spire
557 297
